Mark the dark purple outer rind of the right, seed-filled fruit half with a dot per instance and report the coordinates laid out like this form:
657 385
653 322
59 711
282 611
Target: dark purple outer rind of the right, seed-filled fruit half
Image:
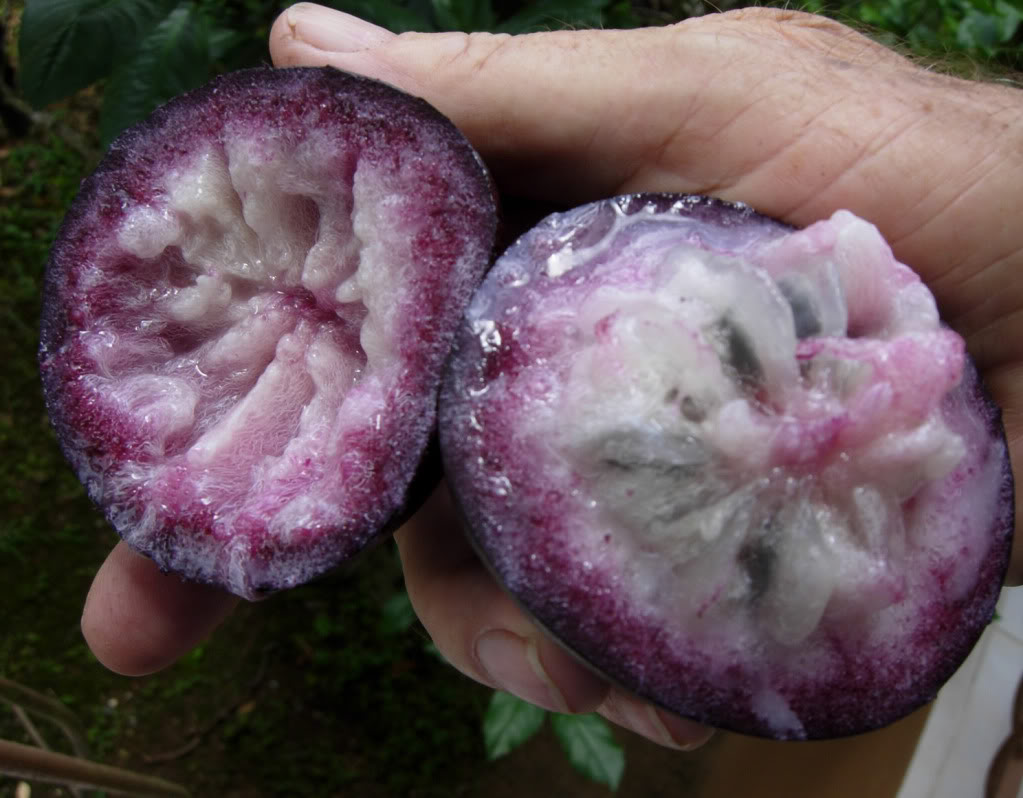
587 610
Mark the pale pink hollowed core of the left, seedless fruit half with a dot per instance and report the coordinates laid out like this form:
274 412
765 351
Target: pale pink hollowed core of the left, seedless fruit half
244 330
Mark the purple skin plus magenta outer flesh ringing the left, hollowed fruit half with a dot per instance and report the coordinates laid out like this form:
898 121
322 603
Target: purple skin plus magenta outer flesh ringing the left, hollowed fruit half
90 276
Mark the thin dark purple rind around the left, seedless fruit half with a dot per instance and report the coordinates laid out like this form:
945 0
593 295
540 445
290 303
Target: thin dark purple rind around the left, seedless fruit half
129 173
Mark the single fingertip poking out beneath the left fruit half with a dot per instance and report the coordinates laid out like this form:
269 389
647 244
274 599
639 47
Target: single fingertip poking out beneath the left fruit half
139 620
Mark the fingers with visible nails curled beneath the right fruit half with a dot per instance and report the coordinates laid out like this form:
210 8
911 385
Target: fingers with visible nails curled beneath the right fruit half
485 636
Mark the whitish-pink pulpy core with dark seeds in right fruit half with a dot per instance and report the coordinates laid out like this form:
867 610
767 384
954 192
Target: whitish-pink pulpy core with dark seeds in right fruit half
754 425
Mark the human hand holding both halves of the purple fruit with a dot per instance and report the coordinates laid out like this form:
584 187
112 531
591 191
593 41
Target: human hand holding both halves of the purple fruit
793 114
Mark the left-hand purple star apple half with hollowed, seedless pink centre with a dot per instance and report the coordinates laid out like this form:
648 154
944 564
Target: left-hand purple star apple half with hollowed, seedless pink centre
246 318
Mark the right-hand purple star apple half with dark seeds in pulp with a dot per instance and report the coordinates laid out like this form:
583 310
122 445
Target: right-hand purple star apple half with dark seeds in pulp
741 470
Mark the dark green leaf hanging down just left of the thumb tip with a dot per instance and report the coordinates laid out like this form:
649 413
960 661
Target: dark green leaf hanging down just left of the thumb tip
172 60
